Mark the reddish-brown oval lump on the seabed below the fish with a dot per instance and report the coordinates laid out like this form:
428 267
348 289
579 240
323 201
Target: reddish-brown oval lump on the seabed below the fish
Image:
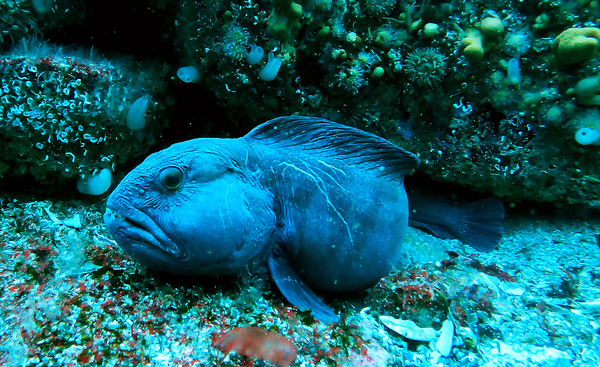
251 341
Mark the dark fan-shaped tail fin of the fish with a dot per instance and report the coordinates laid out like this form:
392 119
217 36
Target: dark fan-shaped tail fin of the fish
480 225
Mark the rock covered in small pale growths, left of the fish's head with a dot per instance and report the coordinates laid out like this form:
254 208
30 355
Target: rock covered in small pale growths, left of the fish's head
63 114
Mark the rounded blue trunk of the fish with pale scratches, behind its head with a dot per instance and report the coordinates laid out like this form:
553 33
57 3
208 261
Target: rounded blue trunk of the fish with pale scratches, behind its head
343 219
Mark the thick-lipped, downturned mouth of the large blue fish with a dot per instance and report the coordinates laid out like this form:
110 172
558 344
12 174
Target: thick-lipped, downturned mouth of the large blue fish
137 229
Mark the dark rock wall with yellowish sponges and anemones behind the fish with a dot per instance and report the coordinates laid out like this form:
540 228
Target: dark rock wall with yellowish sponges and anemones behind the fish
487 93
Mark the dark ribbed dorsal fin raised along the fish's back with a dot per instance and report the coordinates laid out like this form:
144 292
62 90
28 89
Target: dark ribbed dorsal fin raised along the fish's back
311 133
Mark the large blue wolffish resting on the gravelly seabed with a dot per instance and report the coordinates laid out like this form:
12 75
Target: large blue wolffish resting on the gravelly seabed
322 203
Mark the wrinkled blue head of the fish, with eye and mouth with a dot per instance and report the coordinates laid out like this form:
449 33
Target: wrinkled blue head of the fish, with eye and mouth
193 208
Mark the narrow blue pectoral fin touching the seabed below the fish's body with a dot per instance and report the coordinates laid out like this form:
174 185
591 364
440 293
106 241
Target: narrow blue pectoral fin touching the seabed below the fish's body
295 290
